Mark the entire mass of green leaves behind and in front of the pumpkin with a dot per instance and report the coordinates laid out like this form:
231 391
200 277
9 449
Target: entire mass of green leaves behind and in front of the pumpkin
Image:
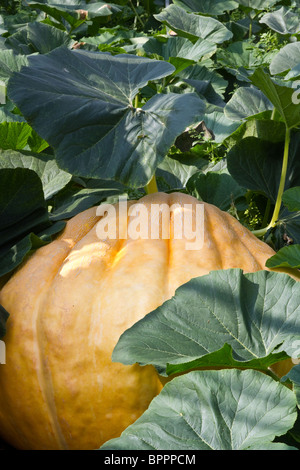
95 100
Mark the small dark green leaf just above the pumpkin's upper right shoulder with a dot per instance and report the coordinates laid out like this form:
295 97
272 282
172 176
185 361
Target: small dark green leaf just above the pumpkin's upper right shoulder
219 189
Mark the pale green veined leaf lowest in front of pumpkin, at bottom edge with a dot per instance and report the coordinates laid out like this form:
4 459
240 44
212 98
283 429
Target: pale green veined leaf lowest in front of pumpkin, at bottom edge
213 410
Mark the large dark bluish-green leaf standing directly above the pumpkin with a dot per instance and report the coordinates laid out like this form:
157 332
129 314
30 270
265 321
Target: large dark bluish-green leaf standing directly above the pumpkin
87 98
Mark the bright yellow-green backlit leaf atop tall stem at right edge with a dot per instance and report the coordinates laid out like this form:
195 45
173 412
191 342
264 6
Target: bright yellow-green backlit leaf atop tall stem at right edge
280 96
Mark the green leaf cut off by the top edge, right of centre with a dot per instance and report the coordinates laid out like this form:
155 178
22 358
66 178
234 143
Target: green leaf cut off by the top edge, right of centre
207 7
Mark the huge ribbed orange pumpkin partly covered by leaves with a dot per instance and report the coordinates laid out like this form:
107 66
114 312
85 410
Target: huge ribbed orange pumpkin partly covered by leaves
69 304
